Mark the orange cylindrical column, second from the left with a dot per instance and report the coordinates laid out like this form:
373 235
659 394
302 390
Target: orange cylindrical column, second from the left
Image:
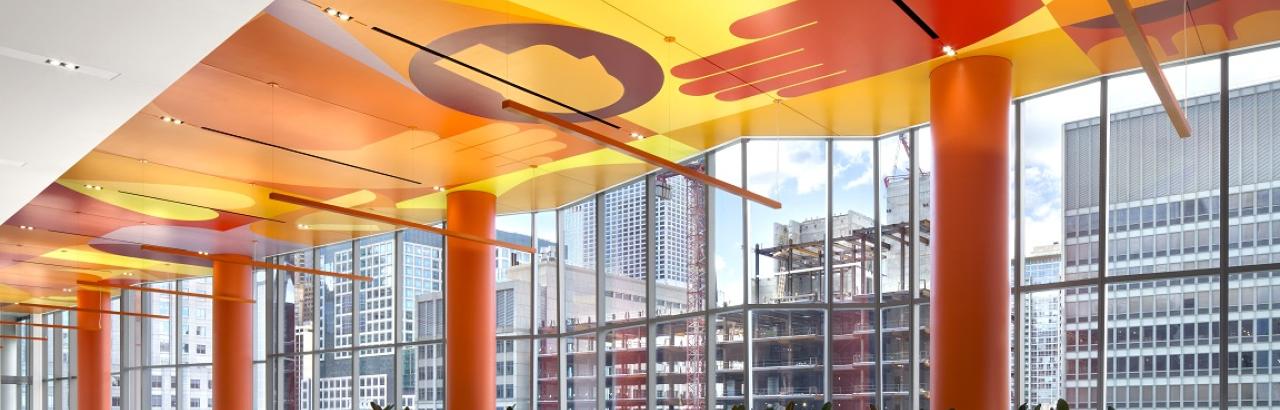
234 335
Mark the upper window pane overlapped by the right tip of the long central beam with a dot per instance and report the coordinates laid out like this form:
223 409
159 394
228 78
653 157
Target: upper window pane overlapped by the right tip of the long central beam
789 244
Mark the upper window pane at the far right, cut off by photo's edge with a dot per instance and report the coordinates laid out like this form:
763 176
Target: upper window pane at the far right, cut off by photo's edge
1254 175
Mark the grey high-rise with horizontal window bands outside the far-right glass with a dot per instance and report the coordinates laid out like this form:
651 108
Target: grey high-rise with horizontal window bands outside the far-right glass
1164 217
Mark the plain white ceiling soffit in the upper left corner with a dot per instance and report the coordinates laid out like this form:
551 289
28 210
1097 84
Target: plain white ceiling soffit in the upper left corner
127 53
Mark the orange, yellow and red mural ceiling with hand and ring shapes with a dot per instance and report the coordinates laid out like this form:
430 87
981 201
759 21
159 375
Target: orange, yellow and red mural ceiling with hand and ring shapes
348 115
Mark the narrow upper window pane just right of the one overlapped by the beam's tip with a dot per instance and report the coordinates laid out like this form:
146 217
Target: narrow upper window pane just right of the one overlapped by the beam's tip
853 215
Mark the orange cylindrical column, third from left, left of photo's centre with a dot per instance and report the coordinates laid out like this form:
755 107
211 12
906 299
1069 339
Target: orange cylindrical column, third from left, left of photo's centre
469 311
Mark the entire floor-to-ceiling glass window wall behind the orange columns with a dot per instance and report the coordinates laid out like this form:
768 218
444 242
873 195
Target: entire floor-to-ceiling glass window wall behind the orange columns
1144 276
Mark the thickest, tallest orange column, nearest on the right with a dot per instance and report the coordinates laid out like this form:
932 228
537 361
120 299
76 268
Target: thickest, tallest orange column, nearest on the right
970 298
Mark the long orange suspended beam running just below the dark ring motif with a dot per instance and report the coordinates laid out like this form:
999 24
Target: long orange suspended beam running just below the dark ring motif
641 154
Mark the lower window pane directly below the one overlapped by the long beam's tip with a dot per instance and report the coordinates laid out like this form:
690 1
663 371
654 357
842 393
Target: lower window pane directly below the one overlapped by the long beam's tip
788 358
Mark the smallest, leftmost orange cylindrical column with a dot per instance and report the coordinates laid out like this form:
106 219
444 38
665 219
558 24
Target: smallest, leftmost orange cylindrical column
93 352
